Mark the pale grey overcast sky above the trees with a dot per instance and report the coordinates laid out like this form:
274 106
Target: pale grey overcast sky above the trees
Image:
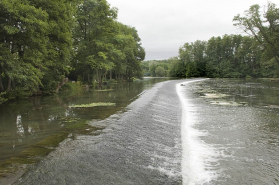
165 25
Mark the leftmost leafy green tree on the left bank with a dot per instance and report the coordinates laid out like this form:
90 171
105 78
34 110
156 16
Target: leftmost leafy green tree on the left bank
23 40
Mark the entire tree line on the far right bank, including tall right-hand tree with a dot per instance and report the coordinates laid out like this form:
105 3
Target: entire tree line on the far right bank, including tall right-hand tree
230 56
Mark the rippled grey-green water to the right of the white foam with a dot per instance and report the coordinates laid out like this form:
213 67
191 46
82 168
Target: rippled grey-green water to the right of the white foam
245 138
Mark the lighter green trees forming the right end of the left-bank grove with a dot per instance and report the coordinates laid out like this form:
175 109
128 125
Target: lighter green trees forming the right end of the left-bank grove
104 45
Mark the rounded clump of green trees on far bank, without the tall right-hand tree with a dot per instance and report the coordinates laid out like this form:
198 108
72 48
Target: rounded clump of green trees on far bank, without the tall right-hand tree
230 56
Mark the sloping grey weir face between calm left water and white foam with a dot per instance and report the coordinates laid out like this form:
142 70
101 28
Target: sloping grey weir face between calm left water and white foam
141 145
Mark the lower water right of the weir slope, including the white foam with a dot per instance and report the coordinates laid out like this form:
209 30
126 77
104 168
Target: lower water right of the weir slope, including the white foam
232 131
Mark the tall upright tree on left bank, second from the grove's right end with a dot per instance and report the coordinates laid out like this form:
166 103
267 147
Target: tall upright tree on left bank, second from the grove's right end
93 39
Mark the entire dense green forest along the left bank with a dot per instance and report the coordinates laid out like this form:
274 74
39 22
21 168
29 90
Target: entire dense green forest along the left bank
45 43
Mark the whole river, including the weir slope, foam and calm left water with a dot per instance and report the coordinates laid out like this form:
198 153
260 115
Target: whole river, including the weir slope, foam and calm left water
194 131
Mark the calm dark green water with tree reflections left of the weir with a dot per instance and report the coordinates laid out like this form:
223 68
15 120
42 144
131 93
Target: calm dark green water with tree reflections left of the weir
25 123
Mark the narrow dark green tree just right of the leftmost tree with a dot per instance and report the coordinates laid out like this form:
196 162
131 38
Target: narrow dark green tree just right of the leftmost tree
60 21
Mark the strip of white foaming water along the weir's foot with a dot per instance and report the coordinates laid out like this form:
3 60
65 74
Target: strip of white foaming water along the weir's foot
197 156
